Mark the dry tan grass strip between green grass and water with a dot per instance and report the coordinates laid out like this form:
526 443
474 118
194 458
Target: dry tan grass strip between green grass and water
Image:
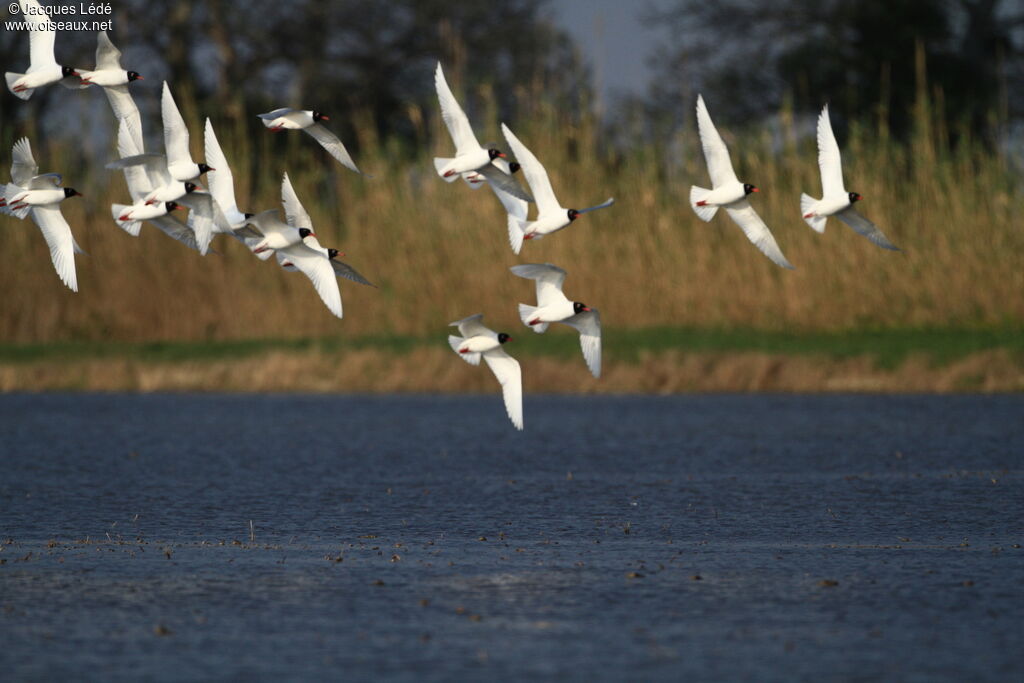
434 370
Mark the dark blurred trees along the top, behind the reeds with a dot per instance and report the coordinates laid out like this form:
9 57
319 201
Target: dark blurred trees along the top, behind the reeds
366 61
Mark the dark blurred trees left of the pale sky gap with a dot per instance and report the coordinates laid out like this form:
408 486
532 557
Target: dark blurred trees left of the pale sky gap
372 58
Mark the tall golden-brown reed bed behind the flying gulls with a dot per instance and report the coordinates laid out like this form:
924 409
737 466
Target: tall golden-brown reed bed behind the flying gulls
441 252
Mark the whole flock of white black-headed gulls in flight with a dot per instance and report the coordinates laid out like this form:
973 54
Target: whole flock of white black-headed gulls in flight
160 185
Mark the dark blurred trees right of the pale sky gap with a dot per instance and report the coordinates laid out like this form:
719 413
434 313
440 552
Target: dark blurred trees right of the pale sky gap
748 56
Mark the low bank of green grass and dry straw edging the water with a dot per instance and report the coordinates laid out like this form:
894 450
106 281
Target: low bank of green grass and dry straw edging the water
661 361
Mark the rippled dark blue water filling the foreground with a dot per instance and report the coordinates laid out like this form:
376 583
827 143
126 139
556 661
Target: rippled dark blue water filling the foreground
701 538
